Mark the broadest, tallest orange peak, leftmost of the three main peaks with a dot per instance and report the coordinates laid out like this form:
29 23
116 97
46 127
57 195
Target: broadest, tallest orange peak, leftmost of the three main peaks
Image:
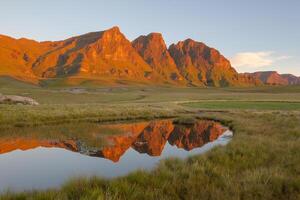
102 54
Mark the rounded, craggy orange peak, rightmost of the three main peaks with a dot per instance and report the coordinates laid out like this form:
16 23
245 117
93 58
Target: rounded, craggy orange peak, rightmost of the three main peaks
202 65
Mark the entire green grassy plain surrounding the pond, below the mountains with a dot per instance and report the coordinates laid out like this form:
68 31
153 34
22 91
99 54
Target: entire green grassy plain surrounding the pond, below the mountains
261 162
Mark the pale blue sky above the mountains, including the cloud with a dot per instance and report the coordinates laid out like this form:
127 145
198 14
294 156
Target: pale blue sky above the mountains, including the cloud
255 35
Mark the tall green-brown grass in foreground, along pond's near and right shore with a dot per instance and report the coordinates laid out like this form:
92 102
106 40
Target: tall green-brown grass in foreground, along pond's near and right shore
261 162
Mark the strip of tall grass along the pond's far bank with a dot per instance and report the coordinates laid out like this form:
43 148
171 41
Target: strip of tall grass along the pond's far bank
21 116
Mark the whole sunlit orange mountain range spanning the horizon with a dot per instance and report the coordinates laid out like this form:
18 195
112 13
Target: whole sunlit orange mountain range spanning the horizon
108 56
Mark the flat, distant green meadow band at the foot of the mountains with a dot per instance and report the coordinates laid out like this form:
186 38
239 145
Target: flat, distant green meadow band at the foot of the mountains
144 94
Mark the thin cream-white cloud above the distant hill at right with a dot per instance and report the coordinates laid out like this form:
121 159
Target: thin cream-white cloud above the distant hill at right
256 59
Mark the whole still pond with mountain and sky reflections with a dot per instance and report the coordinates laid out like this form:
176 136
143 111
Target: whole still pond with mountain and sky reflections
48 157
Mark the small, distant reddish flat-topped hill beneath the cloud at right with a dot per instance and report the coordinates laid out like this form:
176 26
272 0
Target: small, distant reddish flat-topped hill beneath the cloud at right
274 78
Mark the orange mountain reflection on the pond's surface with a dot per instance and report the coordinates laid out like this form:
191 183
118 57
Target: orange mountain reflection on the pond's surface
144 137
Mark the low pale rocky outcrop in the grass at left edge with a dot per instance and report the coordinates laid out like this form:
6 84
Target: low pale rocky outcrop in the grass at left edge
14 99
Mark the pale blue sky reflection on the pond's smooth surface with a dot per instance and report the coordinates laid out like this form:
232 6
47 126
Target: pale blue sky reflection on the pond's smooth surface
42 168
